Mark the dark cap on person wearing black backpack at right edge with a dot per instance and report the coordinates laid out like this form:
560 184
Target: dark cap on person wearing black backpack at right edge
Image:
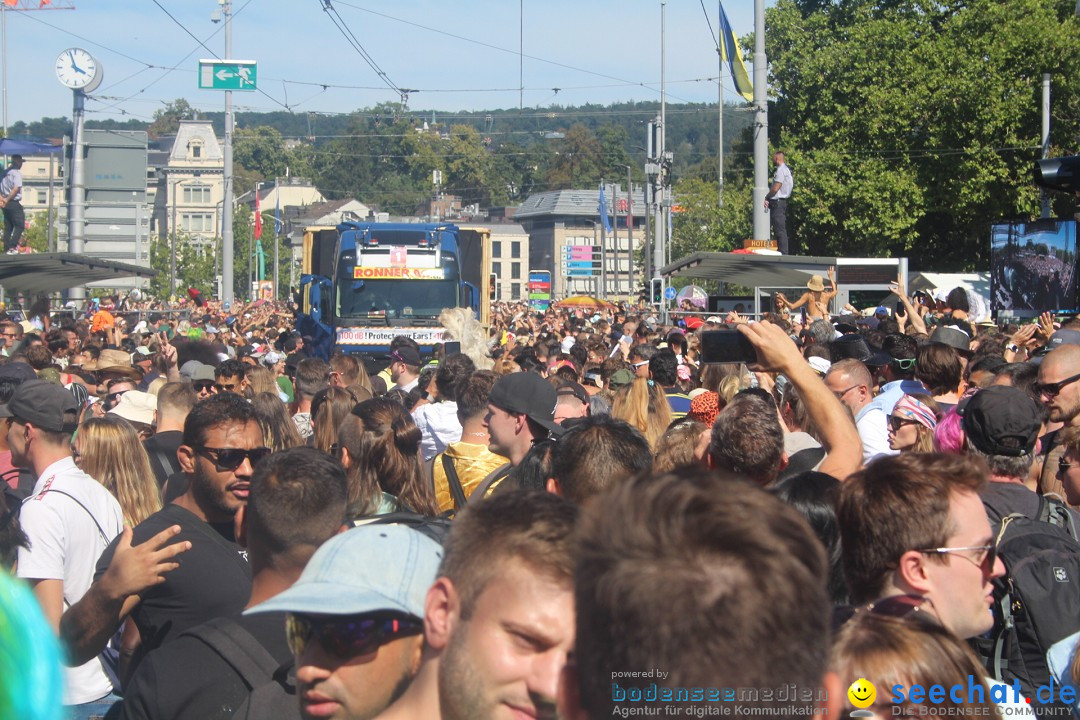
1002 422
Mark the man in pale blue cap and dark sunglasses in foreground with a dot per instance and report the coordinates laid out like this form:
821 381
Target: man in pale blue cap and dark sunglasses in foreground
355 623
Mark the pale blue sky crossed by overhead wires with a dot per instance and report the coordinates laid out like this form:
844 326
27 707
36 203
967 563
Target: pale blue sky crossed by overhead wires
613 50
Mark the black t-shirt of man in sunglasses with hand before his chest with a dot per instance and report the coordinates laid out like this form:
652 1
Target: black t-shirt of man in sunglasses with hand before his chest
214 579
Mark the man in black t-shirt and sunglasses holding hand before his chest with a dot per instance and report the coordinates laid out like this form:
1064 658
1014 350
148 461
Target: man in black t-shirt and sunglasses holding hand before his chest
222 444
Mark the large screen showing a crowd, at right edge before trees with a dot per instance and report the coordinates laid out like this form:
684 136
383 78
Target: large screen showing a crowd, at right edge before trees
1033 268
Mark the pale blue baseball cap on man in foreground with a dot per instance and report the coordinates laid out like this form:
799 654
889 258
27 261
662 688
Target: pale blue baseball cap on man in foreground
372 568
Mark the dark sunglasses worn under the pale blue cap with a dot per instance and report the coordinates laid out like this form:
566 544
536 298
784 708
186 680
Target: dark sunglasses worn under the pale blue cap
346 636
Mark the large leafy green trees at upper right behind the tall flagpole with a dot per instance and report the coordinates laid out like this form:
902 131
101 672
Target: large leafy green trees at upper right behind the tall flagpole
911 126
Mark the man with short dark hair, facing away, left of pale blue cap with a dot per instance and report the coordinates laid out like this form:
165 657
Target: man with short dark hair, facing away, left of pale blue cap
299 501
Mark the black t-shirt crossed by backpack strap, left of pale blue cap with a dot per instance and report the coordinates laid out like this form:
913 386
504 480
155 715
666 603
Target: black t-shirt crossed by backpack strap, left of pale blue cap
190 681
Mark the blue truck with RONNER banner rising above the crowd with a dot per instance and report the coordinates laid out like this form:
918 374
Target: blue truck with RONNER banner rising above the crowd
366 283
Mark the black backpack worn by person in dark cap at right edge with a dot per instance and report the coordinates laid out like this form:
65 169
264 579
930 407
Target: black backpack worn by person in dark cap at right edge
1037 602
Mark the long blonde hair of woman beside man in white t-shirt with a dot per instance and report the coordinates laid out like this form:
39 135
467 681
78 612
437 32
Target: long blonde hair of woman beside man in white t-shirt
112 454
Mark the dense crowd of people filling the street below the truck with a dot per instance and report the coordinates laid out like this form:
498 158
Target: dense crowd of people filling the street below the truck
578 517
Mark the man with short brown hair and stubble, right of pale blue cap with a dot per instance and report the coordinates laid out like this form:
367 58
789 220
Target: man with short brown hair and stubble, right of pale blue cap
498 622
